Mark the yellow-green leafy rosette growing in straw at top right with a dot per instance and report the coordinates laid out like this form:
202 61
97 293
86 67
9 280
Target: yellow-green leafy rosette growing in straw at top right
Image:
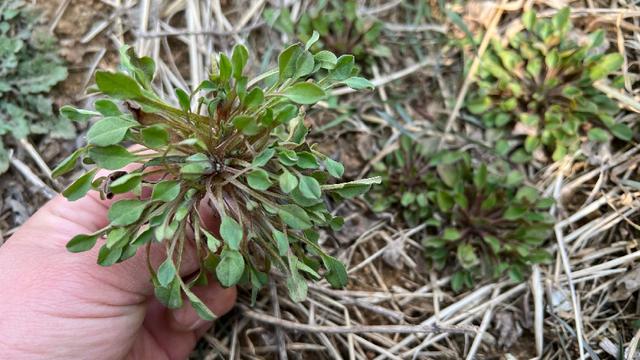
539 88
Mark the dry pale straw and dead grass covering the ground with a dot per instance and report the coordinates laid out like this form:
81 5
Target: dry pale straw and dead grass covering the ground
583 305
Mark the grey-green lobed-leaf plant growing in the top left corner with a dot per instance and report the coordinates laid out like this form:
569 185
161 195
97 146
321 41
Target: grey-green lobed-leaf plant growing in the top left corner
29 68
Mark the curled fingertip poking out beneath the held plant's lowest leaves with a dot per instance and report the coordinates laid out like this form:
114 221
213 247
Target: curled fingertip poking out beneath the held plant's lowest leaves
218 299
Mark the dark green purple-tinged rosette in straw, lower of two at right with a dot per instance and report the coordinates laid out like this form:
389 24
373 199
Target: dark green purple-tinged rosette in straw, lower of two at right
478 223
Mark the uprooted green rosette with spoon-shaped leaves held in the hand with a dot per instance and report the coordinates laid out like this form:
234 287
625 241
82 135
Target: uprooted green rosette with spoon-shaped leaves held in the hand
235 145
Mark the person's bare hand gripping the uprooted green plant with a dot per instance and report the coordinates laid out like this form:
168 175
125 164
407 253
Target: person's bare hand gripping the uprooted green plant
59 305
